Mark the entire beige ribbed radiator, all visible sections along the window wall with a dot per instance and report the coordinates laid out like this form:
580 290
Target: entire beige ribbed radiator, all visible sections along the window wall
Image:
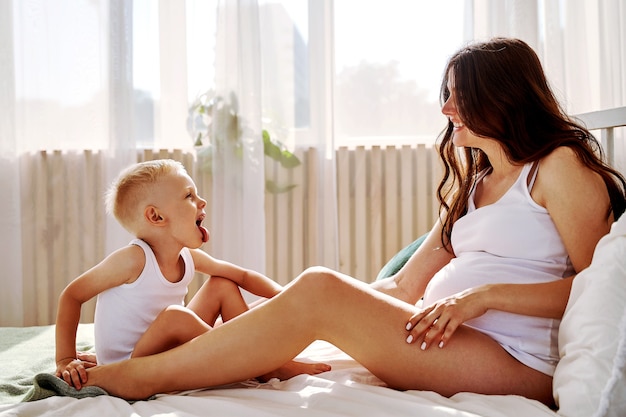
385 199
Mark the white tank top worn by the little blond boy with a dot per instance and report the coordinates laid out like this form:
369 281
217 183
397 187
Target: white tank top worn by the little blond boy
124 313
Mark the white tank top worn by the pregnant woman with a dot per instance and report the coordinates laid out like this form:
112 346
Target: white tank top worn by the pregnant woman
513 240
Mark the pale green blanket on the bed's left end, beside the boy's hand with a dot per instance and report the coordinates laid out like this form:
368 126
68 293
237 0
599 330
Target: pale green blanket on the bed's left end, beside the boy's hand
28 351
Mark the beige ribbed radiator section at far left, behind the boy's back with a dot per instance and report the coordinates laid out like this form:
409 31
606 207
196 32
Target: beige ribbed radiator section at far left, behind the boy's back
65 214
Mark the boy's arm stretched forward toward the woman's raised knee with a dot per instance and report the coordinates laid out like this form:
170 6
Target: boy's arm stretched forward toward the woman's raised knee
249 280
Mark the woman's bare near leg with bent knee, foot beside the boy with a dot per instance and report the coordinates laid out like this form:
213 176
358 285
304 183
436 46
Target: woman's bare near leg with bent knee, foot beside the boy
321 304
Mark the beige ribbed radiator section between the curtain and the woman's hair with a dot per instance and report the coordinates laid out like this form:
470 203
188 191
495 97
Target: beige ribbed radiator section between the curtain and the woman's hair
386 199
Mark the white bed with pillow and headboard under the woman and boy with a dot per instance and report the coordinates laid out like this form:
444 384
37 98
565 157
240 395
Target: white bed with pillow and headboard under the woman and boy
590 379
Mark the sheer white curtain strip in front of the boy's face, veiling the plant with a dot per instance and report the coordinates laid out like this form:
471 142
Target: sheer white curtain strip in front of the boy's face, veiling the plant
238 160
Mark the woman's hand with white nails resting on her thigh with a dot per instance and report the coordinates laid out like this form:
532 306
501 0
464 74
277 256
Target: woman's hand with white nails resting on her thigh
438 322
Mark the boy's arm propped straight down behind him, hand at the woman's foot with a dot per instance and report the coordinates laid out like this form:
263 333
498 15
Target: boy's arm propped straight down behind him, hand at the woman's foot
123 265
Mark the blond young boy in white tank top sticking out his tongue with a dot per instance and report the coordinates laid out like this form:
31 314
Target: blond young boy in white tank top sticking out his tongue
141 287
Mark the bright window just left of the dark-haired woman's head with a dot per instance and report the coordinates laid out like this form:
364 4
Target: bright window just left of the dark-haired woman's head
389 60
